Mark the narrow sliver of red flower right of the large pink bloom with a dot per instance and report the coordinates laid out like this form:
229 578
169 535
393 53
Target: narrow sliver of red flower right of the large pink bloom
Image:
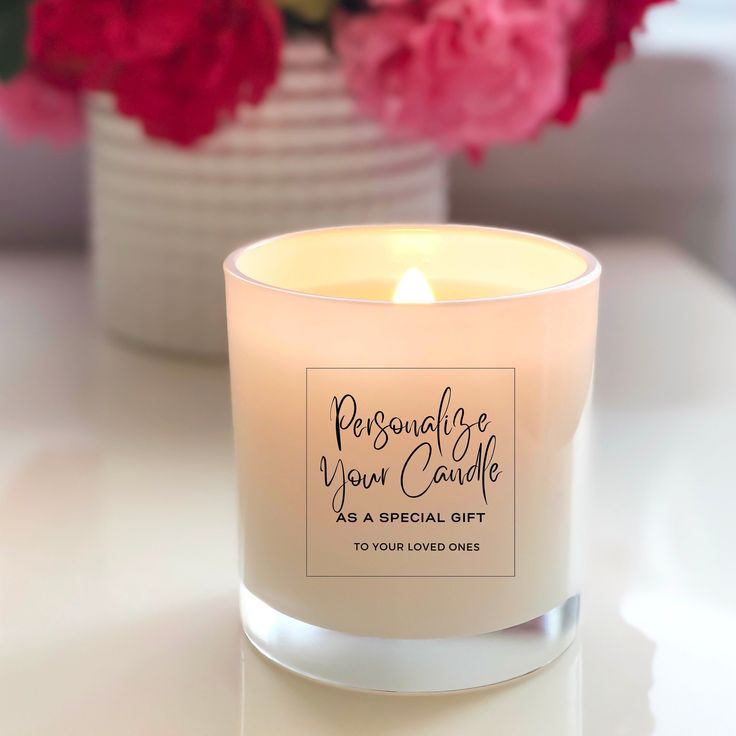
600 36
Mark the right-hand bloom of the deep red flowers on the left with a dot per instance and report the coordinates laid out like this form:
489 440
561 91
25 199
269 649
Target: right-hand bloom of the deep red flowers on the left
231 56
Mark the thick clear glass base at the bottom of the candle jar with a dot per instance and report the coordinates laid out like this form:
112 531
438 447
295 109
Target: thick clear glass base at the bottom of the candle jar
407 665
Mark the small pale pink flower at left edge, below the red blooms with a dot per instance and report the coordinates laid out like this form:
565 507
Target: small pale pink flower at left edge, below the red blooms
30 107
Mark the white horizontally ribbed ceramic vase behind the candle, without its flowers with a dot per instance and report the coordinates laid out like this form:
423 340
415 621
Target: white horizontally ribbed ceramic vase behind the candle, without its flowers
164 218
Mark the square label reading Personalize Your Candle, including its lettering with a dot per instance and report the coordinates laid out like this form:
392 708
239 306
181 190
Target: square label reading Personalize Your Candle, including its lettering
410 472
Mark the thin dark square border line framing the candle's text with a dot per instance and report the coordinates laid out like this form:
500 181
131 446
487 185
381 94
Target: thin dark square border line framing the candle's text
306 461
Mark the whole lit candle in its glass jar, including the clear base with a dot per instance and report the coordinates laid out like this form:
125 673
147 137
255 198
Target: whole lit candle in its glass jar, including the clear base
405 403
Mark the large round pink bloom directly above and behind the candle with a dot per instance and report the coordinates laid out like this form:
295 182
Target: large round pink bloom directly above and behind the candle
464 73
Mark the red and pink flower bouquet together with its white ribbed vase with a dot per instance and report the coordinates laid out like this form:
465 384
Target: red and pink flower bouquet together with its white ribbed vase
218 121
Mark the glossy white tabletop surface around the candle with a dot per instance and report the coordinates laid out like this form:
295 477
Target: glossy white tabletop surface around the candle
118 534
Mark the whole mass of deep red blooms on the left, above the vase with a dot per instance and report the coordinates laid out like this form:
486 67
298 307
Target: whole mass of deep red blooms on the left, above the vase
176 65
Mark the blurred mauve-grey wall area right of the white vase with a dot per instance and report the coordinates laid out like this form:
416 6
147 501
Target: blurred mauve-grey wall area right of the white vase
656 155
